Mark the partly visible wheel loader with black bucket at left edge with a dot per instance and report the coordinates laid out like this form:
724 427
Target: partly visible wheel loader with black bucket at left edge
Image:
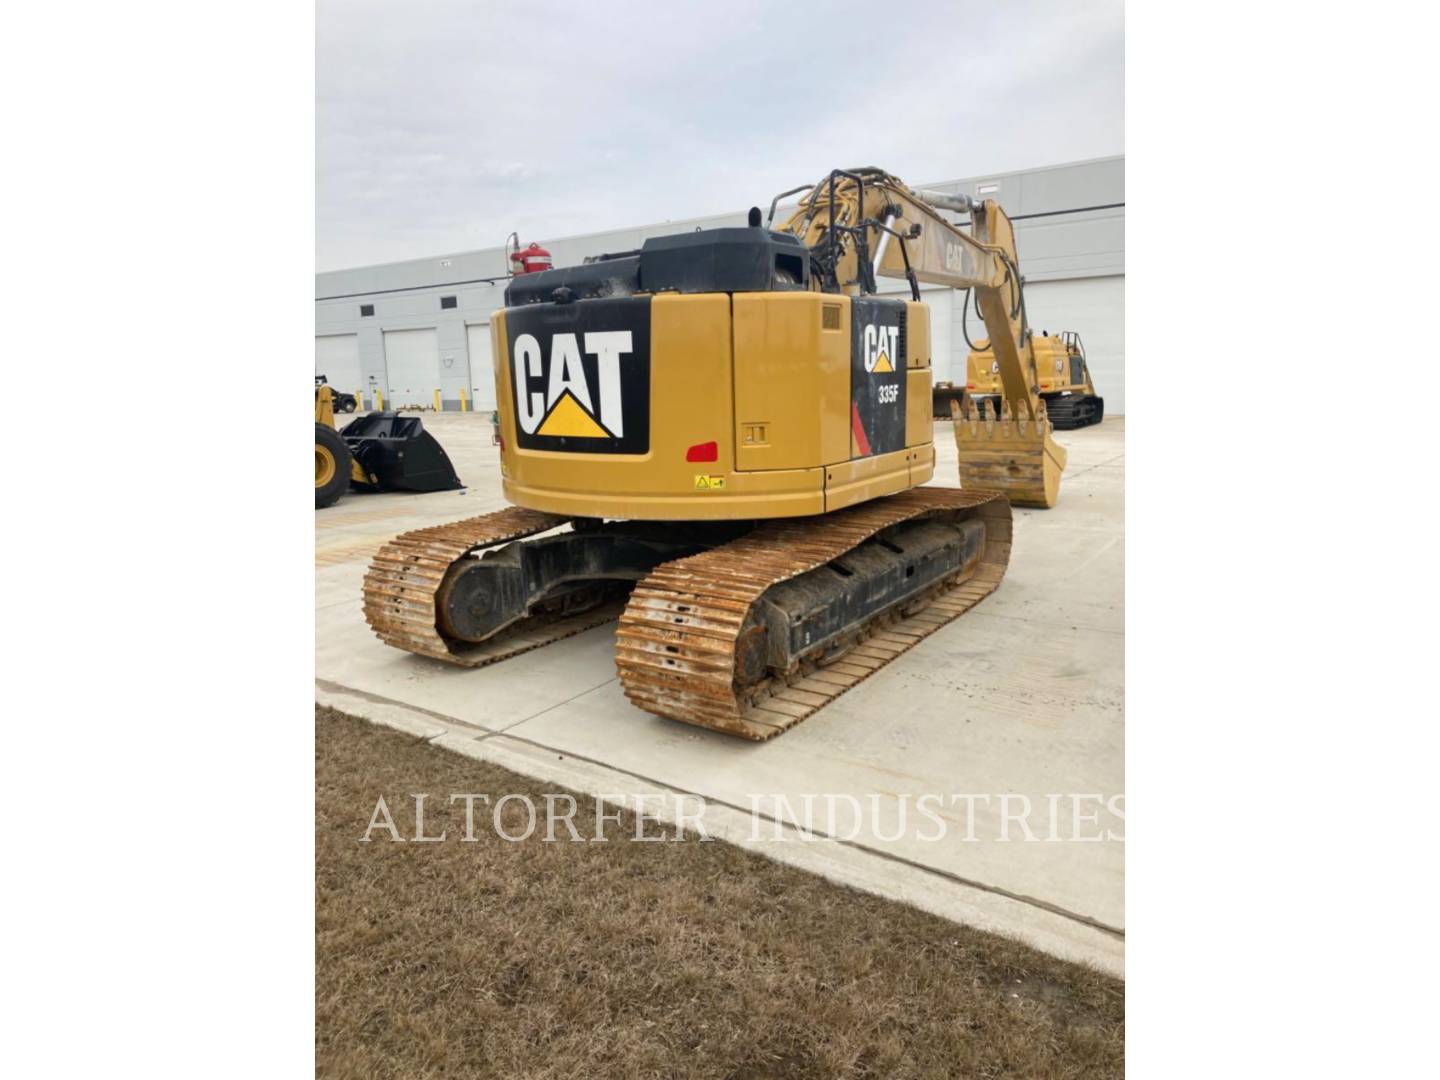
377 453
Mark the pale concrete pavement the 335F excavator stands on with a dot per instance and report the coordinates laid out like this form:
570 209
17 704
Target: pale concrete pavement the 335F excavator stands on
1017 708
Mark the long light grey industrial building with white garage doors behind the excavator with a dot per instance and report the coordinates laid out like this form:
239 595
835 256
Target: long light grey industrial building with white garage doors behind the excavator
420 330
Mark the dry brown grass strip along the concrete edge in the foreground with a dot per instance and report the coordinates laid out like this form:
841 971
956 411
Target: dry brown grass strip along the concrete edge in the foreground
621 960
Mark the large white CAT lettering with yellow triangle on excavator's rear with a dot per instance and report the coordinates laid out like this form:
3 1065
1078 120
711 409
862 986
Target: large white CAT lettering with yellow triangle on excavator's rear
565 407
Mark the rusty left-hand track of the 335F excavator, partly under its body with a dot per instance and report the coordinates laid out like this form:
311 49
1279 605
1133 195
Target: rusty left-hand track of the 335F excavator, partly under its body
405 577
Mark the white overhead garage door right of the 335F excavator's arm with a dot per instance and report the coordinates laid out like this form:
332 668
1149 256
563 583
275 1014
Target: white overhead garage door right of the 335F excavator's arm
1095 307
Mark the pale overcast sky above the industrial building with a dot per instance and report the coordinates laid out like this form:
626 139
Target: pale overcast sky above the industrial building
446 125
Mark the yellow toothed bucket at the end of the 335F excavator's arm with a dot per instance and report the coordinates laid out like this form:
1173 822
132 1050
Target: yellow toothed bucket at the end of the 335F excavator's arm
1016 456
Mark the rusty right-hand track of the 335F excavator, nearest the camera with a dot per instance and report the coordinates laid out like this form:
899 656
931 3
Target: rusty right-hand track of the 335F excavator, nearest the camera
680 644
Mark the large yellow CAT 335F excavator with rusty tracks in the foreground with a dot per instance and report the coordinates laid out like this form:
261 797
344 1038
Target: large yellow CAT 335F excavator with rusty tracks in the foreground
722 438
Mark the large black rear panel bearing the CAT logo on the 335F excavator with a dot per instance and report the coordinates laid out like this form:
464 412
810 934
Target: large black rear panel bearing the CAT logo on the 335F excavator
581 377
